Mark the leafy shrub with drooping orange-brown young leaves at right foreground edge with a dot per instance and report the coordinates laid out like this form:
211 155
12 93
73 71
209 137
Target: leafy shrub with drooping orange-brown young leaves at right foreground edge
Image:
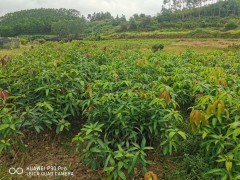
219 125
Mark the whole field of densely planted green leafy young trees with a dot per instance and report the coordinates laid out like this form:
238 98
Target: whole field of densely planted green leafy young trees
131 100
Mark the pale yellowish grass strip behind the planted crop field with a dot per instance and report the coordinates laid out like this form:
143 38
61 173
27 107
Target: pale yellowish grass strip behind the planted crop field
175 46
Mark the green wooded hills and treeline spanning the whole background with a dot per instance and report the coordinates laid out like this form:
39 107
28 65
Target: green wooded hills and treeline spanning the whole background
173 16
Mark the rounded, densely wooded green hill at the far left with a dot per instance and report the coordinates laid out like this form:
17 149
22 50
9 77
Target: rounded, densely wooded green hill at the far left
34 21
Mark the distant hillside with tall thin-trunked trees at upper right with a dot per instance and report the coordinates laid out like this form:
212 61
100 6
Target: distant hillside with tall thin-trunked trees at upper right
189 9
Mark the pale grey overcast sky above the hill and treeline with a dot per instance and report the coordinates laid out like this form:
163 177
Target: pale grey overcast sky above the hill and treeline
126 7
